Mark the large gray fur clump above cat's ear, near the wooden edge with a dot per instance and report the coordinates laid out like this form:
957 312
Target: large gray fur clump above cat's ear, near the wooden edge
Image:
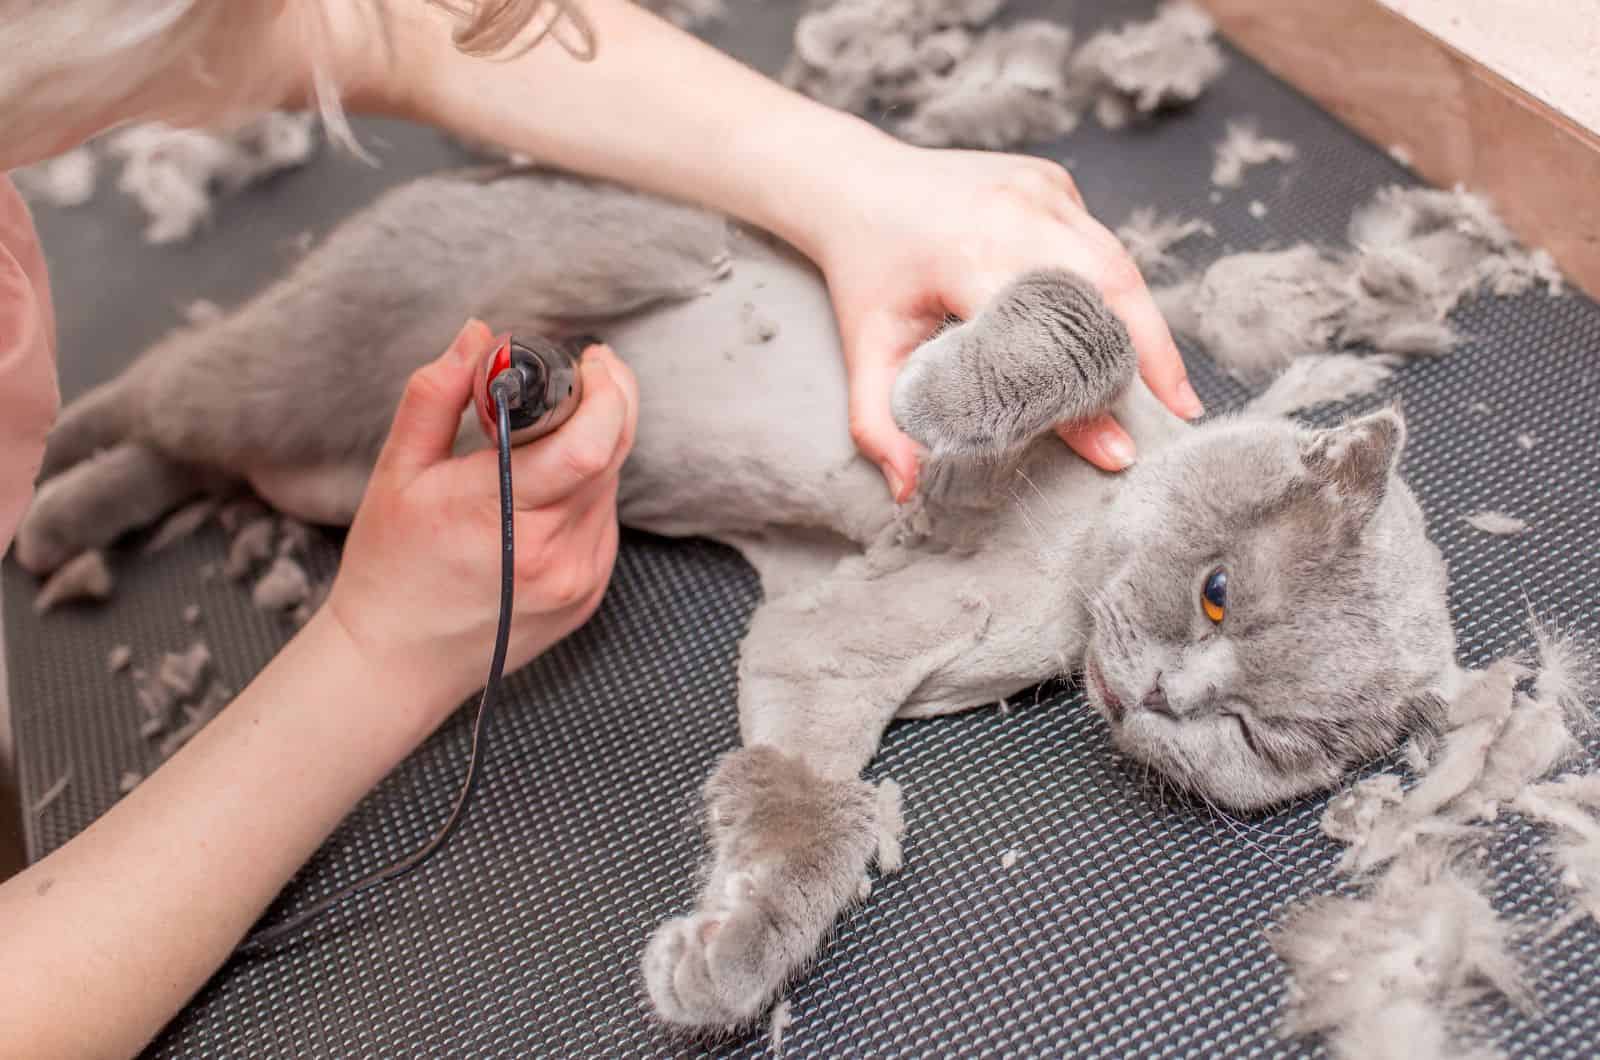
1417 254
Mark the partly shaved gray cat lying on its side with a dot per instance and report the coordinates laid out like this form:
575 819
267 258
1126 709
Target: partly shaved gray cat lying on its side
1255 606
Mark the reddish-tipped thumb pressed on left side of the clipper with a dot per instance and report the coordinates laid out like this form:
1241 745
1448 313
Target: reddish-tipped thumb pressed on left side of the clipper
430 416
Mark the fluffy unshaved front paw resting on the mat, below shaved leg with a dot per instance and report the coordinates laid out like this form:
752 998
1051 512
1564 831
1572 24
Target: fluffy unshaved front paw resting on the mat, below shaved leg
790 854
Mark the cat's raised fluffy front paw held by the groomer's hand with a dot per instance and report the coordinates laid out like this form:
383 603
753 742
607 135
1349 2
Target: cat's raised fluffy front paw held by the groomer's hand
1046 351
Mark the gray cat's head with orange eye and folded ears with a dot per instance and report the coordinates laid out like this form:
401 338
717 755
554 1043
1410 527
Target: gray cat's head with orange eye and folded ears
1276 614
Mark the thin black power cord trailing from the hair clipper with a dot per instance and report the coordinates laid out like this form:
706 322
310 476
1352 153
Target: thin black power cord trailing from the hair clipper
505 396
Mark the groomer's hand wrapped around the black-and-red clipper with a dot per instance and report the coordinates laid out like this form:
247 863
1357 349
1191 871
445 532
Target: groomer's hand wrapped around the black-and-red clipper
418 587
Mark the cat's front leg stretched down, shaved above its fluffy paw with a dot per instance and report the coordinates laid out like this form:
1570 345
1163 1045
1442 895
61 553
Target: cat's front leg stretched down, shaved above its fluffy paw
793 827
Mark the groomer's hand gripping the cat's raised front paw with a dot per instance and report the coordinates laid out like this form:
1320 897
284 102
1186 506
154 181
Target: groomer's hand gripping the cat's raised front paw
934 233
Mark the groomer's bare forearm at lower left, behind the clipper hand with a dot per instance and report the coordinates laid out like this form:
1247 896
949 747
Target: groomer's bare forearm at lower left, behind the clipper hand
110 936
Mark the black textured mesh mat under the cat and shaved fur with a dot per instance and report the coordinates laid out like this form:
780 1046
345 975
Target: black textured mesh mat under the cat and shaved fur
1126 928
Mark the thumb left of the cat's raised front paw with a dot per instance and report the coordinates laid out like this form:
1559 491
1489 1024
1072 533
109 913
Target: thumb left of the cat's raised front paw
874 359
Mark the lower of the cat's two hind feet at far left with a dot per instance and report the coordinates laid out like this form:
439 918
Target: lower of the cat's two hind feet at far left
98 500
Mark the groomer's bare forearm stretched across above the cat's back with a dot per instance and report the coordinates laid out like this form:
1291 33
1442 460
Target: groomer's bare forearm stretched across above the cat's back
655 110
